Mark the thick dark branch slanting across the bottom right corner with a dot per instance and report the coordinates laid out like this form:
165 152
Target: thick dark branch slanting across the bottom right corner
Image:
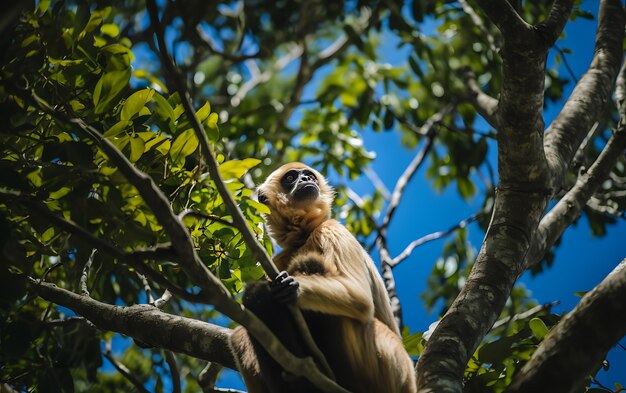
580 341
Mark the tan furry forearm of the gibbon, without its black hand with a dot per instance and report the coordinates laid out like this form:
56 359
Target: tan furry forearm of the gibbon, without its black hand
336 295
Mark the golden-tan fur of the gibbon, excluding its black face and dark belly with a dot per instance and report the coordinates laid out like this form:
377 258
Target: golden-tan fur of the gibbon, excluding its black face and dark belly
338 281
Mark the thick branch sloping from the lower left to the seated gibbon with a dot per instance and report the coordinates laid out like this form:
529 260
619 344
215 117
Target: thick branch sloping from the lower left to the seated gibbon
147 324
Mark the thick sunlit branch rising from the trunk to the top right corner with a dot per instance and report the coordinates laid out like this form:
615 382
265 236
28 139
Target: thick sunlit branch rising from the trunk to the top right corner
591 95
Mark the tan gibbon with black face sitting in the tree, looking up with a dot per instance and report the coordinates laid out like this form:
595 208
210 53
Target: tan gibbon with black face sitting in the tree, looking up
329 275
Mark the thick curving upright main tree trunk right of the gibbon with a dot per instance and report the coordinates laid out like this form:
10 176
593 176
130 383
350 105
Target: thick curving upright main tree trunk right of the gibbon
521 198
